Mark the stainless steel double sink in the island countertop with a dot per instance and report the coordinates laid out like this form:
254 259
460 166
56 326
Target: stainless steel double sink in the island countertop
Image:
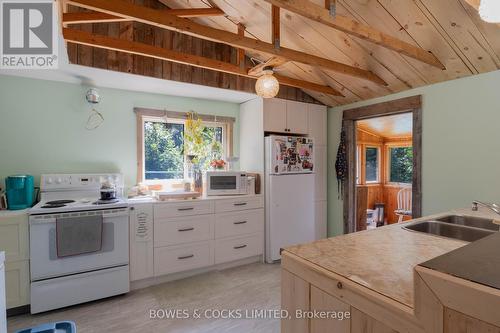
465 228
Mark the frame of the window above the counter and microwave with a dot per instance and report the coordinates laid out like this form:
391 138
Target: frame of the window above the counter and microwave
162 116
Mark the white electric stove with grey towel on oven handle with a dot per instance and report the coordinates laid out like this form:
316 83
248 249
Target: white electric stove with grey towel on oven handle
72 201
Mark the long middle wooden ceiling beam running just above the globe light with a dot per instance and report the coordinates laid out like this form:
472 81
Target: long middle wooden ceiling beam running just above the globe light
158 18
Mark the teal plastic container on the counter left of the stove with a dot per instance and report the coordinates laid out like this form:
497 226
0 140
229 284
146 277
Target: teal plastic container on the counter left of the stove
20 190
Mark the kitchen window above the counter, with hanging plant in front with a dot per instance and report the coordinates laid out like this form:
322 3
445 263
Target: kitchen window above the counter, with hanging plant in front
162 152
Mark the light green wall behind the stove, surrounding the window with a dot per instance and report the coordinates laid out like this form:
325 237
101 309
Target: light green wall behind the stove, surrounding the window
42 127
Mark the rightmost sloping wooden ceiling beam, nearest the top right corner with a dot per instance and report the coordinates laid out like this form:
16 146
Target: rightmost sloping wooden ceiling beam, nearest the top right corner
342 23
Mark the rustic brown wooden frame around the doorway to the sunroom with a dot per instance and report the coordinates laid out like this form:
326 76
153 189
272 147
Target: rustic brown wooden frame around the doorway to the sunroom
404 105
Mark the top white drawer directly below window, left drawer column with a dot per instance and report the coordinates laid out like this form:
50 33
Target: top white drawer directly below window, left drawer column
183 208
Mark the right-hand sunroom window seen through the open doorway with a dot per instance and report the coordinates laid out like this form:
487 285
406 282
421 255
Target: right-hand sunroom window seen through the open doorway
400 162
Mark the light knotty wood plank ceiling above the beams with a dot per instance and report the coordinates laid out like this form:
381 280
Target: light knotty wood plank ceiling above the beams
450 29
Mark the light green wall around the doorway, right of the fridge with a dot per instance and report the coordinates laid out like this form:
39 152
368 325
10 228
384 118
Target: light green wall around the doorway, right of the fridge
460 144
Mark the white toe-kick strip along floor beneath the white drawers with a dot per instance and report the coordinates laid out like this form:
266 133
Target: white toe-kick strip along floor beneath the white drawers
140 284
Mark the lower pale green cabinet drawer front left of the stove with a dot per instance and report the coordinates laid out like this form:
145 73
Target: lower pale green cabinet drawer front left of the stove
17 283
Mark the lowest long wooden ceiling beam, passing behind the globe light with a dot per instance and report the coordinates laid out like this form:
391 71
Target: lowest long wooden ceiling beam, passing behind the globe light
117 44
